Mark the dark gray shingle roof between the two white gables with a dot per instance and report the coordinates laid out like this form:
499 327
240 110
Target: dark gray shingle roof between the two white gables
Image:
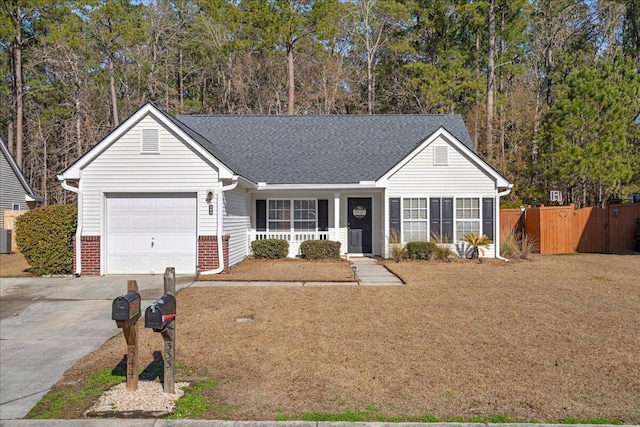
316 149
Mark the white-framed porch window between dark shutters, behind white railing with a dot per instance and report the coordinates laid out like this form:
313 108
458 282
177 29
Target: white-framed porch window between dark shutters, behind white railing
296 215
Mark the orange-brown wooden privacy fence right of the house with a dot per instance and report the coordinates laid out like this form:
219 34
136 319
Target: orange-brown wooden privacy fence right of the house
563 229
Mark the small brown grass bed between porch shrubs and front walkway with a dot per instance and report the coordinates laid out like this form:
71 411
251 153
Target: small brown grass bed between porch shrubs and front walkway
286 270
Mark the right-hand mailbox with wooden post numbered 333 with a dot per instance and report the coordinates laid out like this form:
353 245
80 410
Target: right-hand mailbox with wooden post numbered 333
161 317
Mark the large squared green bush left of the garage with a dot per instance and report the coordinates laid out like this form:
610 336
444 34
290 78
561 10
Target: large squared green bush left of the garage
45 237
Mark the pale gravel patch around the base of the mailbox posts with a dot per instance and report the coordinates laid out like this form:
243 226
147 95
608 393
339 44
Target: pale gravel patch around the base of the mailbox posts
150 397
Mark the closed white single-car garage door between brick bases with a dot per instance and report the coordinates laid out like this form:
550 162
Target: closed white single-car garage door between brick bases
147 233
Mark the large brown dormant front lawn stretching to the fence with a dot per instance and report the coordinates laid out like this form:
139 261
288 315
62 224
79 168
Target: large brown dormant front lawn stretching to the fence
549 339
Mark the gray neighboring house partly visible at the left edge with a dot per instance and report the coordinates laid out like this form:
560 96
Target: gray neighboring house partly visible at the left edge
15 192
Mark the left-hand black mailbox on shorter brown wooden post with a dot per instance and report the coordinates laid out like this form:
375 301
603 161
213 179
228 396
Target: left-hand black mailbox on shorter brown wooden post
126 312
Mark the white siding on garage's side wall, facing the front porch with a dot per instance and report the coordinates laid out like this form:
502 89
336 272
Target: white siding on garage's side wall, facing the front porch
236 223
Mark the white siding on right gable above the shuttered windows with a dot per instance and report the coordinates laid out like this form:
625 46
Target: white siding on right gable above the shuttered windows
421 176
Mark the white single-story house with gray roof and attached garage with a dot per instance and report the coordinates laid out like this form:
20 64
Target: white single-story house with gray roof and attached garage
193 192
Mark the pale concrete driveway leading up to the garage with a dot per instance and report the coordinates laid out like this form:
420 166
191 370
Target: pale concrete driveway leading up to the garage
47 324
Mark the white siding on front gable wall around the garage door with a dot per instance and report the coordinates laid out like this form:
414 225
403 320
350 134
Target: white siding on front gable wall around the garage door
122 168
